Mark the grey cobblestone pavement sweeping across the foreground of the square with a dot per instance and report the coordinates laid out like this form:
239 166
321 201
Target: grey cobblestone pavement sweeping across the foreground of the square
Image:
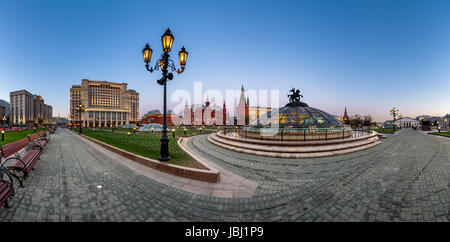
406 178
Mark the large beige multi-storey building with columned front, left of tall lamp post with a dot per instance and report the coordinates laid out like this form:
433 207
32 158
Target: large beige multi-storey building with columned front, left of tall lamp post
107 104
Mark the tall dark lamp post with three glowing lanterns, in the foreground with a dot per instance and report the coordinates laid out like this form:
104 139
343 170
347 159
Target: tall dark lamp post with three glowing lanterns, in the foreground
167 66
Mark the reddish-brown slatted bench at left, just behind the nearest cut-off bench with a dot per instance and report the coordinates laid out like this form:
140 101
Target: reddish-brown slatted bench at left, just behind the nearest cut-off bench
20 165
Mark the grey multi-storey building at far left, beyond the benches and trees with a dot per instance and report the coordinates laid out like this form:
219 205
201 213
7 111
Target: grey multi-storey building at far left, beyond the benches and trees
26 108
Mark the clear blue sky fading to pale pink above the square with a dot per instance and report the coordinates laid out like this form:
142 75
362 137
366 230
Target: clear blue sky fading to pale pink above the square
366 55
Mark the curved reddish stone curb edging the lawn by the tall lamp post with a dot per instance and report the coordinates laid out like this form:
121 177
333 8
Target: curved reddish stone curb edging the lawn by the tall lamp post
186 172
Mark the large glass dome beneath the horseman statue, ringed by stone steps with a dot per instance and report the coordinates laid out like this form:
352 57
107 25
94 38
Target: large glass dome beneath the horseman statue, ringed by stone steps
299 117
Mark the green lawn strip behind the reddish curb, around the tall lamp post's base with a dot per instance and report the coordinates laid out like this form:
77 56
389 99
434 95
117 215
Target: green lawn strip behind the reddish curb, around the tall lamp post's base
144 145
